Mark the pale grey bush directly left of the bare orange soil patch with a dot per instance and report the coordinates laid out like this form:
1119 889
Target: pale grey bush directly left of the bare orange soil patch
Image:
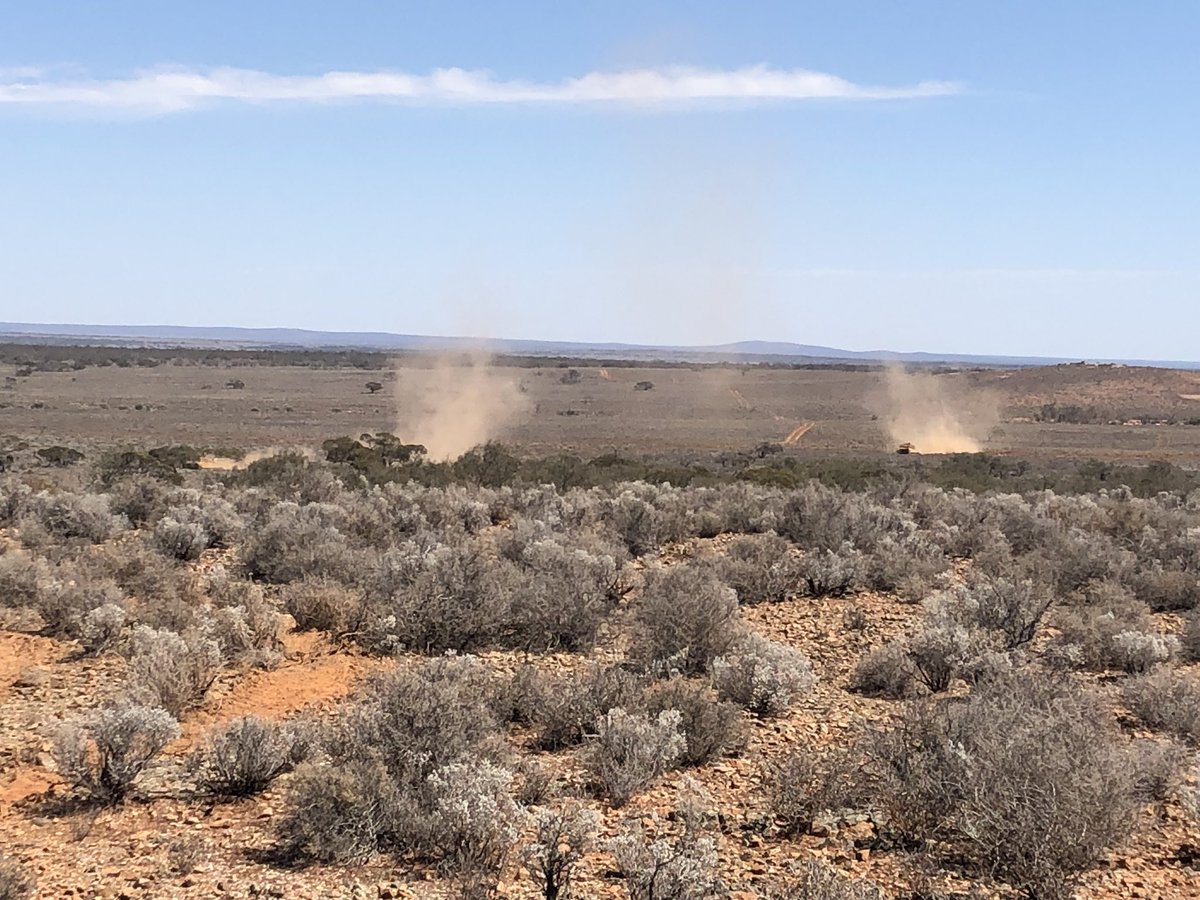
173 671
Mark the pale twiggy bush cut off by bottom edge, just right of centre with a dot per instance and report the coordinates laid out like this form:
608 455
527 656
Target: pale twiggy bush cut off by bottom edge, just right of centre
683 868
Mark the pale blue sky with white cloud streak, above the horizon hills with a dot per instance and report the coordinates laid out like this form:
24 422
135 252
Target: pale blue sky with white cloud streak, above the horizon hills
1015 178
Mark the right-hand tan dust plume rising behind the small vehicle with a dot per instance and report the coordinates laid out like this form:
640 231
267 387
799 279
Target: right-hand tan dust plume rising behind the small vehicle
934 413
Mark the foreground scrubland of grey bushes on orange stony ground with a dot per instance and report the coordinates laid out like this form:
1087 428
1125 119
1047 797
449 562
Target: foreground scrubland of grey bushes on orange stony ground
361 674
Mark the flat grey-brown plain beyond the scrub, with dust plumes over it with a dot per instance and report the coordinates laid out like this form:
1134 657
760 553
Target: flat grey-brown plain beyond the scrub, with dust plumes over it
688 411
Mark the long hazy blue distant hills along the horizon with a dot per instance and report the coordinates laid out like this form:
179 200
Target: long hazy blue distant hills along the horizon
295 338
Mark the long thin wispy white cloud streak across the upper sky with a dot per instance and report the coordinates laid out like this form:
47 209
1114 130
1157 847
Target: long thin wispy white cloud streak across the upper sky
167 91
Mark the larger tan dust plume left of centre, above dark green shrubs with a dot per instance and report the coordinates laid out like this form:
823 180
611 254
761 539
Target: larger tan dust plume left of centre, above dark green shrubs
454 403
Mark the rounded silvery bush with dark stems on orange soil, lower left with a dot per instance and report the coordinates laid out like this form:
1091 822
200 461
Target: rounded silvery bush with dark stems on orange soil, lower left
104 752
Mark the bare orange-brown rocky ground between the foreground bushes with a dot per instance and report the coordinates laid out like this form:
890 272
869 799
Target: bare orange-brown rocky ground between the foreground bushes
169 844
